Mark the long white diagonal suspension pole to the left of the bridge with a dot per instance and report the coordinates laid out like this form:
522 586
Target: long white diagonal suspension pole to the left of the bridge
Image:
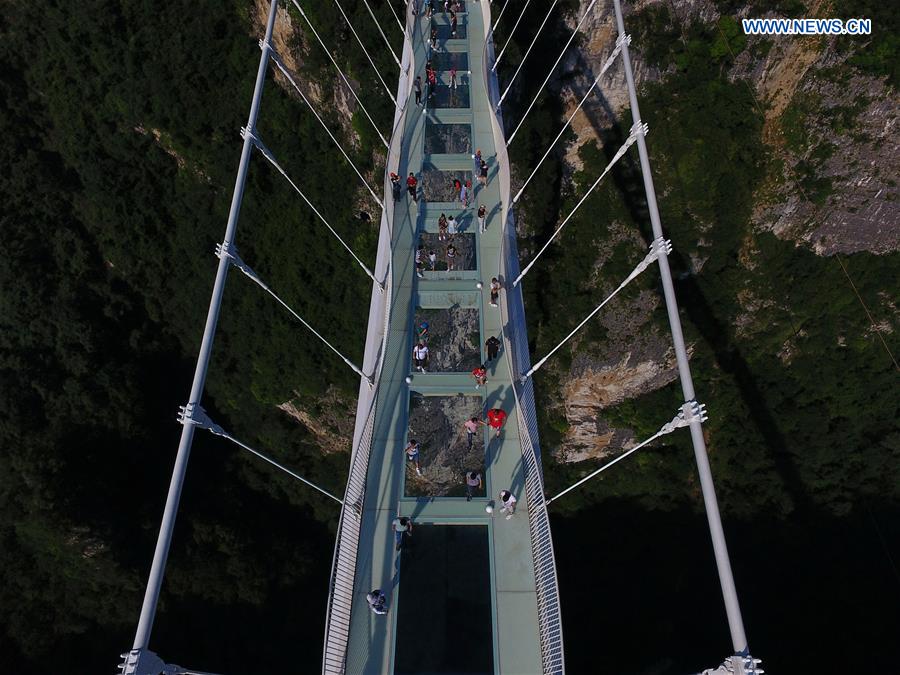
154 583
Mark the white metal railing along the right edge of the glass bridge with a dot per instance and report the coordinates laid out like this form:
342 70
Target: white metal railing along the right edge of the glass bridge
516 351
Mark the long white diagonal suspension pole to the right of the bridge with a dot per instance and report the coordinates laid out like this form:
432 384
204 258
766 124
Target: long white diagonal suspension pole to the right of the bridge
726 579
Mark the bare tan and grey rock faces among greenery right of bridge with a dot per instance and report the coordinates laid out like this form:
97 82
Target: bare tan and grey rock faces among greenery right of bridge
830 186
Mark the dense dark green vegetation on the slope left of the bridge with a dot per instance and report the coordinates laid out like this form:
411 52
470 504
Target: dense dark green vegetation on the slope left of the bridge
121 140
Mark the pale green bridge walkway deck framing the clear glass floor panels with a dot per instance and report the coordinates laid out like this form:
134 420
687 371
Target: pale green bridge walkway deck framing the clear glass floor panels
514 626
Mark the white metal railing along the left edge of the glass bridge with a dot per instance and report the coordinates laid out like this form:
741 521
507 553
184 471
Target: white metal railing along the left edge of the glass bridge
346 547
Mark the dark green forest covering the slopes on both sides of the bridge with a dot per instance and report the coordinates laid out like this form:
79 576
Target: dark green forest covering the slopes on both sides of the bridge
121 124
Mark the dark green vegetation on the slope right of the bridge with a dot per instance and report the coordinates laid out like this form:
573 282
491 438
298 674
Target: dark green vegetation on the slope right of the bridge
803 433
